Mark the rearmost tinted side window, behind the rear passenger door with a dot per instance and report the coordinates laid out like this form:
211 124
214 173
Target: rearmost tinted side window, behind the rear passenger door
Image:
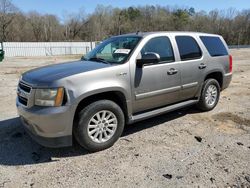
214 46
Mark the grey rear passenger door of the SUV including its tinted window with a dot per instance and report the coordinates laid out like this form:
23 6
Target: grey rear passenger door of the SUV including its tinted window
192 66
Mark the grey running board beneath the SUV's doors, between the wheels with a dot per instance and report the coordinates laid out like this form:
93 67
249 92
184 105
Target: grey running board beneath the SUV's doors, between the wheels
159 111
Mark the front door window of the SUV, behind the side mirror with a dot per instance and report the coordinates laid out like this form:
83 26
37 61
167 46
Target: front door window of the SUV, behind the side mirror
161 46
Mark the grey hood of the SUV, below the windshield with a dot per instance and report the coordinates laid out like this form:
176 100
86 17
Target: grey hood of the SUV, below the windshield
52 73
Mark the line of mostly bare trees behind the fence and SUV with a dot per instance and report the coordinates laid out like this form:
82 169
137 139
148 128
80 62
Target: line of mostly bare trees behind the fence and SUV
106 21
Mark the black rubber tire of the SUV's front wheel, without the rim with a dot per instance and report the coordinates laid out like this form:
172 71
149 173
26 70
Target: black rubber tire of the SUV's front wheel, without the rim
85 115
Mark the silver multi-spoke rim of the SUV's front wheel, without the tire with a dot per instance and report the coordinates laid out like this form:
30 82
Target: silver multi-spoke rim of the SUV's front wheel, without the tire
102 126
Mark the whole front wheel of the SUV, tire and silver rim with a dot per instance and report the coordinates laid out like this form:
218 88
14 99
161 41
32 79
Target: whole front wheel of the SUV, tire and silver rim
90 125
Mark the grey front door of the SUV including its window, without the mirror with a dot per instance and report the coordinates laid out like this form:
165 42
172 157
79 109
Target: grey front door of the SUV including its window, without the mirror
157 84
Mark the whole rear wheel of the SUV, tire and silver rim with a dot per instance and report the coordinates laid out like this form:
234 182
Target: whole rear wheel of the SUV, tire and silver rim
210 86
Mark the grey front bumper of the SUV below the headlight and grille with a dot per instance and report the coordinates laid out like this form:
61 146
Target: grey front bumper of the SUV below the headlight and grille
49 126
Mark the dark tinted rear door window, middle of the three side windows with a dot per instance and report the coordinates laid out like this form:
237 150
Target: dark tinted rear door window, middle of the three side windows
188 48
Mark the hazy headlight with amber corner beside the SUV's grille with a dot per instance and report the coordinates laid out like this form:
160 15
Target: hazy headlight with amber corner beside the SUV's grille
49 97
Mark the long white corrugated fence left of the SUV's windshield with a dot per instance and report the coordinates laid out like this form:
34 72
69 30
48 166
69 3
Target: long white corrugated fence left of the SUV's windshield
46 48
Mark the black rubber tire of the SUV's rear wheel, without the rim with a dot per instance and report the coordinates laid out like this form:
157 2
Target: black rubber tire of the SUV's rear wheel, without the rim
202 104
